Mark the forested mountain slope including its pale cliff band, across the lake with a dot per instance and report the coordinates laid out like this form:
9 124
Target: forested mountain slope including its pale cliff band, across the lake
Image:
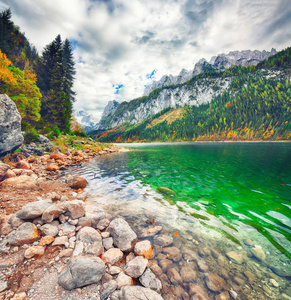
238 103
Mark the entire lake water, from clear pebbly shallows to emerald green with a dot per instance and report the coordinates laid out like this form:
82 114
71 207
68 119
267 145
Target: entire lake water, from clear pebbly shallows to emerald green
225 193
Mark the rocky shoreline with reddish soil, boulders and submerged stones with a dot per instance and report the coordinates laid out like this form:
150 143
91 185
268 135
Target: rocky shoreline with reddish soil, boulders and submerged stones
57 244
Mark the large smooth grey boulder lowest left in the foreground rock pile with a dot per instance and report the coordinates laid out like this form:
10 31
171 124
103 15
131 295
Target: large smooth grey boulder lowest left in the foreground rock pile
81 271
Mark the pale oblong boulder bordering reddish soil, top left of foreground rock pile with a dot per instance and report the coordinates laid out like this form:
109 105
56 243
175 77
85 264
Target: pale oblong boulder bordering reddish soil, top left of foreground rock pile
33 210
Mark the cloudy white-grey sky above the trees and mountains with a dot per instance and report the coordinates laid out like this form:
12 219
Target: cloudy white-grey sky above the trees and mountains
122 45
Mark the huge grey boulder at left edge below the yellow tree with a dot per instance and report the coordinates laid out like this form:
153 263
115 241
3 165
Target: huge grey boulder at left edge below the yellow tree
10 126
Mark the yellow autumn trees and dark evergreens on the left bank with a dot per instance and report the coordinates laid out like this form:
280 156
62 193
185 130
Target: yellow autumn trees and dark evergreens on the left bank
40 85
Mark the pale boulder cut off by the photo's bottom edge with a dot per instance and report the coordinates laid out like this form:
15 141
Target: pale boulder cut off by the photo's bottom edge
138 293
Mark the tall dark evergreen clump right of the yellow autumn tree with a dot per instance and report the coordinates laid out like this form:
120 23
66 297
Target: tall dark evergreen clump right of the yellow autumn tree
56 71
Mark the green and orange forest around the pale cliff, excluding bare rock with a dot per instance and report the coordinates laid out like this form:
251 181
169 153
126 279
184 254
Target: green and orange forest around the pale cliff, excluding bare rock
256 106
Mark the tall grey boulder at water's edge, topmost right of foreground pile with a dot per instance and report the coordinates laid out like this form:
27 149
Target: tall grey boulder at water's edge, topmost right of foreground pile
123 236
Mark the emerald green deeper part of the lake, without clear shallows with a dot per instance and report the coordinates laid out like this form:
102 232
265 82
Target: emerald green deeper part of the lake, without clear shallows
234 182
